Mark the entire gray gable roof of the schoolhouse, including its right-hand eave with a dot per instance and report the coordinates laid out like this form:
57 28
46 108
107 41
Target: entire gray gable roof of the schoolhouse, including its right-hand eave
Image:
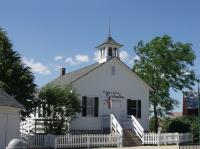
73 76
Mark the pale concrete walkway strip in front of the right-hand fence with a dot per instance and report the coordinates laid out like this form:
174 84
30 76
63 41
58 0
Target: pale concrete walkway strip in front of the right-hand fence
148 147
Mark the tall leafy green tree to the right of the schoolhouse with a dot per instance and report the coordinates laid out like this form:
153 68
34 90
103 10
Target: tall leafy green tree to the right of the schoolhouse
164 65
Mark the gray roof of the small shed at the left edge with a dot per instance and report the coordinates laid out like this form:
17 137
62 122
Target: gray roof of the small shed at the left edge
7 100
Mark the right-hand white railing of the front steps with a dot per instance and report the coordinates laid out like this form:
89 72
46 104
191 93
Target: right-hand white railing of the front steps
135 125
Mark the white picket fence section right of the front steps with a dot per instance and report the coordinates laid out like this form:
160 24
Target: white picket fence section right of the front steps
166 138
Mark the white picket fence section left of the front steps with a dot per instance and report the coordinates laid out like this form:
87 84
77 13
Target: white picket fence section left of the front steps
73 141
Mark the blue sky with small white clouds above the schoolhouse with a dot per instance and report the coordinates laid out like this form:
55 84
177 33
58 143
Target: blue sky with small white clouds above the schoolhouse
53 33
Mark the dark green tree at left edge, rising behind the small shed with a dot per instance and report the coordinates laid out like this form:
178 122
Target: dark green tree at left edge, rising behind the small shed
16 78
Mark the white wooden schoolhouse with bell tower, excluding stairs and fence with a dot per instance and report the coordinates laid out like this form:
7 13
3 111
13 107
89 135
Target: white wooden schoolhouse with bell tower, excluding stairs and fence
107 87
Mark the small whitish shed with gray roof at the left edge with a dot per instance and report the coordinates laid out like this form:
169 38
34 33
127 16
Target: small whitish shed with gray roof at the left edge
9 118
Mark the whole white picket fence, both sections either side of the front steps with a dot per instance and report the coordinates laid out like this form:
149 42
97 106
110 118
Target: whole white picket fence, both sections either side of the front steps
100 140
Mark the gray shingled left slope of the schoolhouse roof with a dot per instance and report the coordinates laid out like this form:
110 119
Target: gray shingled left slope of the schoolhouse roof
70 77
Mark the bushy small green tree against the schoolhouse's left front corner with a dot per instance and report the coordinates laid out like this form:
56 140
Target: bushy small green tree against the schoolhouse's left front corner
59 107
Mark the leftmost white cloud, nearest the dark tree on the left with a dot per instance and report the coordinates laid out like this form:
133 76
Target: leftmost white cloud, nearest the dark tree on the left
36 66
